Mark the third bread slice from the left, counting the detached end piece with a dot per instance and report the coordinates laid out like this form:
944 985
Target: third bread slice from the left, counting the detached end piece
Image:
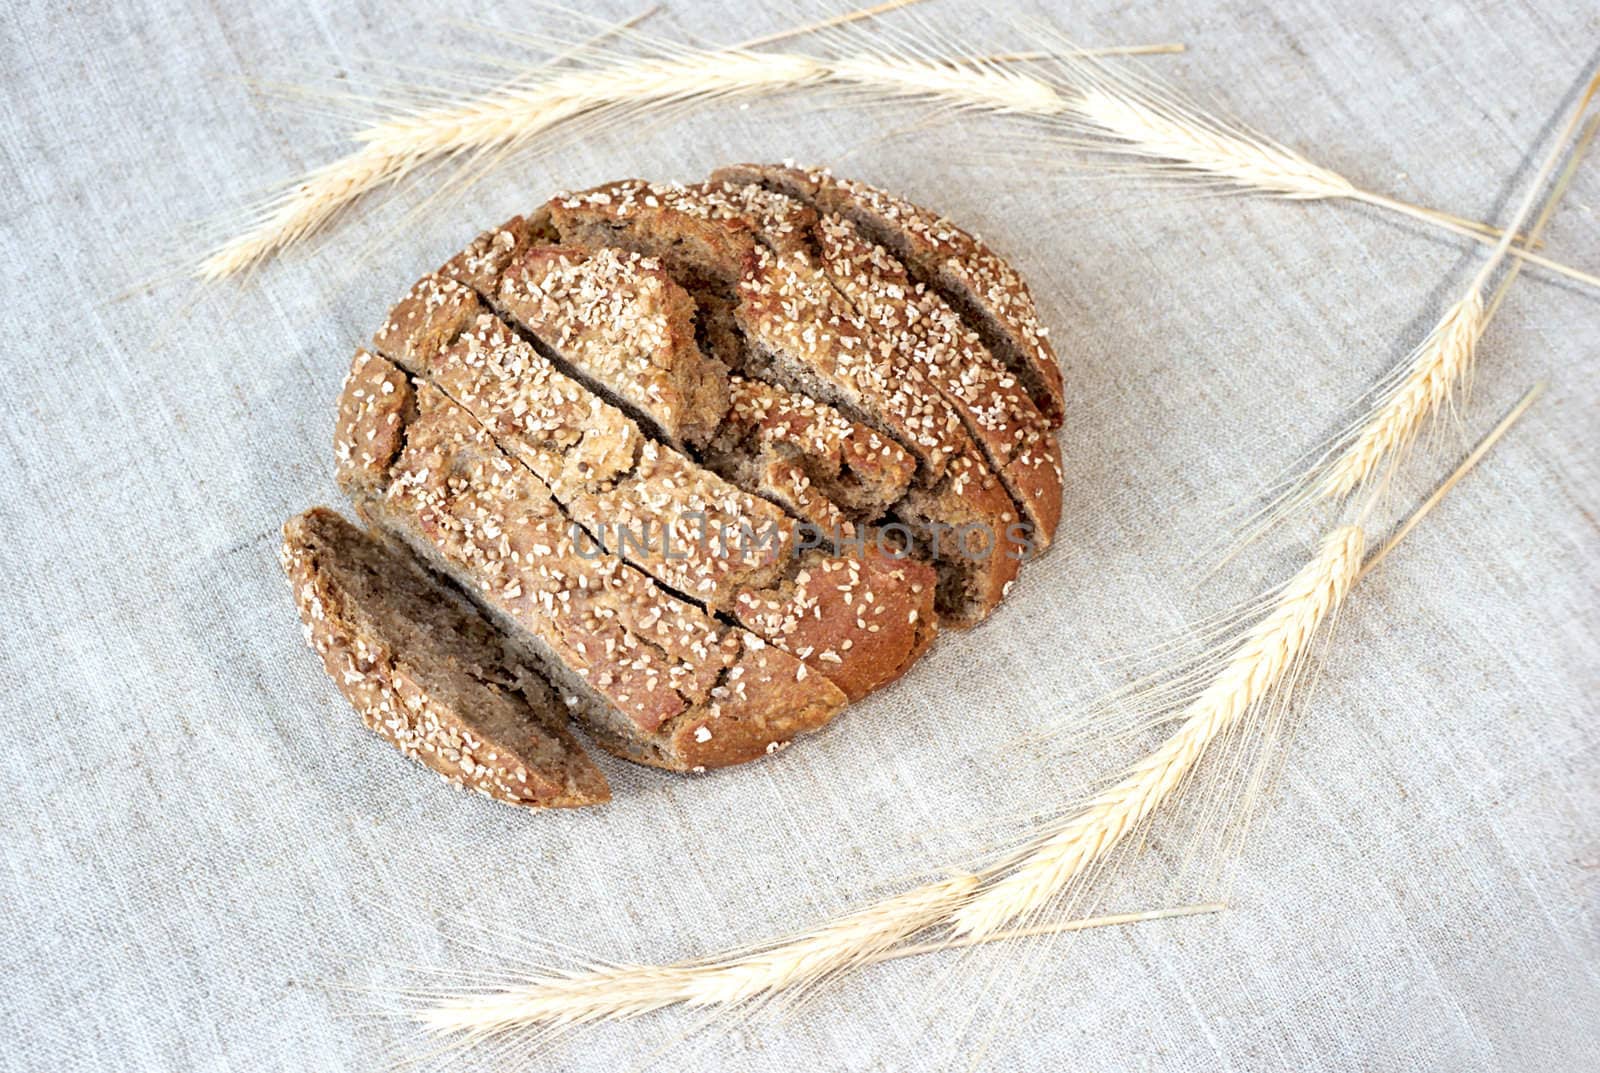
858 618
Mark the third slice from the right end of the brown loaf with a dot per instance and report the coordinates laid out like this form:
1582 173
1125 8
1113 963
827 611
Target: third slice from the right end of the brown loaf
798 333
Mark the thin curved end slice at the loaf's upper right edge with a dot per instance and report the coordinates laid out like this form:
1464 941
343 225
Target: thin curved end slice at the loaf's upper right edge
956 265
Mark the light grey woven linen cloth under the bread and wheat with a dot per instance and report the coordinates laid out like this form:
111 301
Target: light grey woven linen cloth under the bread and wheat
204 848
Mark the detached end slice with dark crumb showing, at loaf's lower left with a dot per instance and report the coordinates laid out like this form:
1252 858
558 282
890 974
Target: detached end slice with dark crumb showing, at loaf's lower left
426 672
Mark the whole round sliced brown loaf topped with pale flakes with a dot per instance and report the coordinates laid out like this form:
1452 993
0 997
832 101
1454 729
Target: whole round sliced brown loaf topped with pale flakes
694 466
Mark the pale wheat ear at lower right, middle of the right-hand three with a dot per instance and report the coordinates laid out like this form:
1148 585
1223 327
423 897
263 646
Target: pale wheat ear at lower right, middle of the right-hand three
1258 666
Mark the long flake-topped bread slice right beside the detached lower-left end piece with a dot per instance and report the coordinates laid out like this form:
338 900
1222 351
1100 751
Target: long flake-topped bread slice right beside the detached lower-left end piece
655 679
